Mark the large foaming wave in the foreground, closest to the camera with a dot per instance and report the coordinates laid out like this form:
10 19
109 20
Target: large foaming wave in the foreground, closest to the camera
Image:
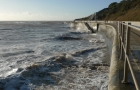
58 71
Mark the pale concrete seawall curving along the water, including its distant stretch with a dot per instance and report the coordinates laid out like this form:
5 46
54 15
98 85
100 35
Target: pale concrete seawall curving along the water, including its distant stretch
111 39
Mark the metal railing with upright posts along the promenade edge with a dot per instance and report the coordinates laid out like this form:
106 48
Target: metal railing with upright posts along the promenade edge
124 39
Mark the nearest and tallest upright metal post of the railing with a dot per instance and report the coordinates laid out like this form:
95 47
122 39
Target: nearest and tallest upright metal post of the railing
127 47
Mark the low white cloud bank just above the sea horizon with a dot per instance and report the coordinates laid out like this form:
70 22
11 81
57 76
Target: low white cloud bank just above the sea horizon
32 16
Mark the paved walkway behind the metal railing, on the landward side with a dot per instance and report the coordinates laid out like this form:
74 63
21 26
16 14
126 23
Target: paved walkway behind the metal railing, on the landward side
134 56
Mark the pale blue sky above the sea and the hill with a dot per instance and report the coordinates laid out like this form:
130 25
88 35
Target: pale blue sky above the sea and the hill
49 10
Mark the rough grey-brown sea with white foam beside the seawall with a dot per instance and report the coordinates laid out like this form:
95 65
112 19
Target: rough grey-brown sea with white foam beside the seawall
51 55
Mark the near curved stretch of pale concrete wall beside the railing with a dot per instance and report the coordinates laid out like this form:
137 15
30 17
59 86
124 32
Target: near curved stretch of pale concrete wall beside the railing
111 33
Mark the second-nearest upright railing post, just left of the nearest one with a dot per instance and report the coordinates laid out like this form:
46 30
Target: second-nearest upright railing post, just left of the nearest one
122 35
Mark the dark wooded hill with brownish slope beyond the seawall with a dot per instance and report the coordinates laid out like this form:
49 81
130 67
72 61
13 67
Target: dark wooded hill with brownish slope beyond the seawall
126 10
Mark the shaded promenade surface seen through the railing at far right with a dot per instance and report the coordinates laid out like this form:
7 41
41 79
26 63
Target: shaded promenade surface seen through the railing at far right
134 55
